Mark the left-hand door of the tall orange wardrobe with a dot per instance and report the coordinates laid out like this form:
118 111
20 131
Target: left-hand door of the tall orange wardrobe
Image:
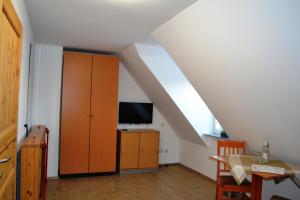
75 113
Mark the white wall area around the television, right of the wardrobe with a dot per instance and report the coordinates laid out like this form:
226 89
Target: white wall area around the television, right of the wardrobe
129 91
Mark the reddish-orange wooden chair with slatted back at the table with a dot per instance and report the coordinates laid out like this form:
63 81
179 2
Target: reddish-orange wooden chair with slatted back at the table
226 183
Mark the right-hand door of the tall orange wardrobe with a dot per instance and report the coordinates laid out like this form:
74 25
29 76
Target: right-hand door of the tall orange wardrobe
104 104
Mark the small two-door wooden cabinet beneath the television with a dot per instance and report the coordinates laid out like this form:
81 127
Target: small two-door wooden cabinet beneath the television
138 149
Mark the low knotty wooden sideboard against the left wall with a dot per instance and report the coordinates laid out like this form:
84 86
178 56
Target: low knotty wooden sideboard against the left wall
34 164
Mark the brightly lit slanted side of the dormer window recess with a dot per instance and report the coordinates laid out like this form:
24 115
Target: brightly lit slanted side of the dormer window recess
178 88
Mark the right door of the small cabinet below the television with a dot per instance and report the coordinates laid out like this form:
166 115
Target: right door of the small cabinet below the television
149 149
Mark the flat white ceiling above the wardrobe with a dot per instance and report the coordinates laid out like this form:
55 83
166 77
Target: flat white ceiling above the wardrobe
107 25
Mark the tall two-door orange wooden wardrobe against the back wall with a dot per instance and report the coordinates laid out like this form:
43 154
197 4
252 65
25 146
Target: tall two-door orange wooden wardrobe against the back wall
88 113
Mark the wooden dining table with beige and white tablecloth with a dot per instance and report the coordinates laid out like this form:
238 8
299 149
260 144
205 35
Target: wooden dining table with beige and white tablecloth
240 167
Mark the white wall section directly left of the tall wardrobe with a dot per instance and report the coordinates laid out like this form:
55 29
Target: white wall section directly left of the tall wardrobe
46 74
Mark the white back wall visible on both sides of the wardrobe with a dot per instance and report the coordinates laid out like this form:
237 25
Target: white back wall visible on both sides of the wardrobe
47 74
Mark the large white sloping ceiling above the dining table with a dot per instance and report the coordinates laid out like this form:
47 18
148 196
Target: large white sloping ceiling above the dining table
243 59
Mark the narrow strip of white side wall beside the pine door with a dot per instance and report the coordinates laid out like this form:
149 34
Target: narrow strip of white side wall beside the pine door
27 40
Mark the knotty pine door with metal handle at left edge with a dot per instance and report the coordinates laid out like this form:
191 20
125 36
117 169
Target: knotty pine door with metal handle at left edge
10 53
